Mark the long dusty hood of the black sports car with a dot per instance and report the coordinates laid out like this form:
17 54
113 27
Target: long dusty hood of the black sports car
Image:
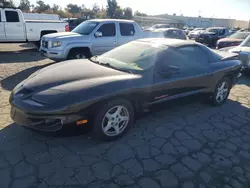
75 79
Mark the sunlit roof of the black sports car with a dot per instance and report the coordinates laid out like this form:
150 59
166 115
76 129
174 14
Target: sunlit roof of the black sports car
168 42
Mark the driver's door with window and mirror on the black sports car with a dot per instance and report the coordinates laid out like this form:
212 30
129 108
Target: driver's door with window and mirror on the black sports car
185 74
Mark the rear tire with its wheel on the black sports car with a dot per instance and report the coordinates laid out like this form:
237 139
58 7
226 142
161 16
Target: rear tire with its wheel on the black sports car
220 94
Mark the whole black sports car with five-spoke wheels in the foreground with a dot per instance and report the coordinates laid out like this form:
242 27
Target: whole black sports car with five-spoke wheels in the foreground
109 89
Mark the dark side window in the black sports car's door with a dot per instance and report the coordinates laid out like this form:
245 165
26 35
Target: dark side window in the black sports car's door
194 55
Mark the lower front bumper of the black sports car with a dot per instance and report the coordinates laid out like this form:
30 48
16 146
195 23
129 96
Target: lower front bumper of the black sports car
47 123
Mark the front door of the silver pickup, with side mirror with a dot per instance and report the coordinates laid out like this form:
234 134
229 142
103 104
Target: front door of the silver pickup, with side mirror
104 39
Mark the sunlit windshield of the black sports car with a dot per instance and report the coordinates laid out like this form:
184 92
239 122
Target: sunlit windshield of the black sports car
142 56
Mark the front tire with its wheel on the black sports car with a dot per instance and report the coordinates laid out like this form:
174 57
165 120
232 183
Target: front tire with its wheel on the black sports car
110 118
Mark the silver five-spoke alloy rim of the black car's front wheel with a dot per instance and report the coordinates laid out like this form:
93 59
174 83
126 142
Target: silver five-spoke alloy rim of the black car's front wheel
115 120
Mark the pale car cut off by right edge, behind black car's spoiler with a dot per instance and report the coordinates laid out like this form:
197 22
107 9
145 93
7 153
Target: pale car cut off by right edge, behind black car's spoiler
243 51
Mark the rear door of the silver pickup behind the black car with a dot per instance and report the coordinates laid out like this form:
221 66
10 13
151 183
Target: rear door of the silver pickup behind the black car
126 33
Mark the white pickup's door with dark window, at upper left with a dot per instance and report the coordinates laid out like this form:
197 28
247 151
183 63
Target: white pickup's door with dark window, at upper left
14 27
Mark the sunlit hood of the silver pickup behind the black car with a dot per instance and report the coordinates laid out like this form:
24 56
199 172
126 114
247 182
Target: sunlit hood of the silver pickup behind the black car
64 35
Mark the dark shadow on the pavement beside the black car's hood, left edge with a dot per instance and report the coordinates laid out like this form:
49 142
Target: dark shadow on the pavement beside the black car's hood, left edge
10 82
